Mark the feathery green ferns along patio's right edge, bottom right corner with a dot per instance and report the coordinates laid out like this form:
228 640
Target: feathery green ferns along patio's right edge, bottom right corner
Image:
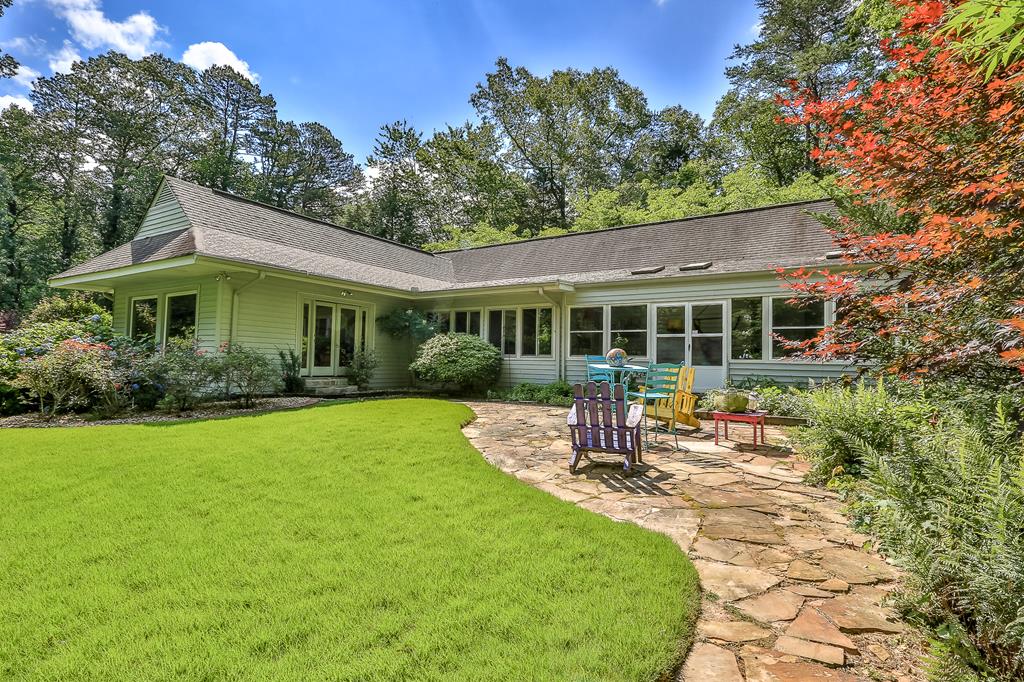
948 503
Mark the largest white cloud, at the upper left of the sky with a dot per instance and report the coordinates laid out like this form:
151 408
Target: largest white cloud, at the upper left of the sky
136 36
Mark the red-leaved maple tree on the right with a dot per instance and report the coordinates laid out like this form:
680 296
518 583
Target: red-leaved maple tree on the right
931 162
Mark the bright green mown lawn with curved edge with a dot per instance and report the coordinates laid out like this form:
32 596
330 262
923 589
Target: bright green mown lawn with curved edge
352 542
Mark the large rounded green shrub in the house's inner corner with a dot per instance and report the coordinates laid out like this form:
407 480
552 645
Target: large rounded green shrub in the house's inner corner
463 361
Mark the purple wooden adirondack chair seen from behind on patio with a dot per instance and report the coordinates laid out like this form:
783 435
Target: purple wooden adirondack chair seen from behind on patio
596 427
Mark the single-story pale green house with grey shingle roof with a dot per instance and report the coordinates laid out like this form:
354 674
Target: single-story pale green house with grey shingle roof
700 290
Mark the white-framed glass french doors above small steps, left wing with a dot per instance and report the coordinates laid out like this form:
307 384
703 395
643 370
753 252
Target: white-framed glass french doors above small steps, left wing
331 335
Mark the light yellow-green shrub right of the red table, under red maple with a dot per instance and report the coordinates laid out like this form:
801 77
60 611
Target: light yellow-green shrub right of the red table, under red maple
841 417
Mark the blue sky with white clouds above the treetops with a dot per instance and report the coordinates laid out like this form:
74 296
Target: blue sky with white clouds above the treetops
355 66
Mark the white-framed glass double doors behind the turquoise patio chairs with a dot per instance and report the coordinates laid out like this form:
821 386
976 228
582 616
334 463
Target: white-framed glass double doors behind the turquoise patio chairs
695 335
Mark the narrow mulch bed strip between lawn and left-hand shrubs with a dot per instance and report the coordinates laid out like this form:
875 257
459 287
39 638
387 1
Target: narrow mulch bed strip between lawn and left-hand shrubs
206 411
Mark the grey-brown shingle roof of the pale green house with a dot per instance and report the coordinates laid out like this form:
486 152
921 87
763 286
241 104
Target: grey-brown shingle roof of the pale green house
223 226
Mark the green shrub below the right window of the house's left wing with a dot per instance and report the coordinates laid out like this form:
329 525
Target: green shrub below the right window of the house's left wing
187 371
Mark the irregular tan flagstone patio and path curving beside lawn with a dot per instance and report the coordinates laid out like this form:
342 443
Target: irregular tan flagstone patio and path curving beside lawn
790 592
